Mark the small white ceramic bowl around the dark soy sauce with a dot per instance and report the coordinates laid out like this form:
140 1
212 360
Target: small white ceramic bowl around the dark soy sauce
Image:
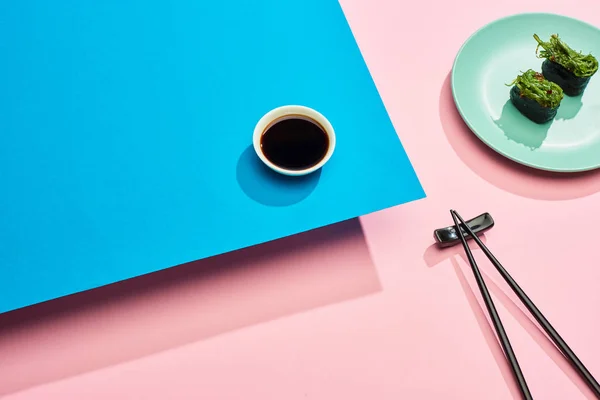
280 112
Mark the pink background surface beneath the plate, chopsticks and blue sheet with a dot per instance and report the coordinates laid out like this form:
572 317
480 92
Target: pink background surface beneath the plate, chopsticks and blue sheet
366 309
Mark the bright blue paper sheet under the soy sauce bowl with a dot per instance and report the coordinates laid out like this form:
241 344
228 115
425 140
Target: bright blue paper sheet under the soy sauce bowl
126 126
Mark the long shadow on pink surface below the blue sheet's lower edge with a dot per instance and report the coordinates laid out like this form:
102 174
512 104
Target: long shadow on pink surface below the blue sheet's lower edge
170 308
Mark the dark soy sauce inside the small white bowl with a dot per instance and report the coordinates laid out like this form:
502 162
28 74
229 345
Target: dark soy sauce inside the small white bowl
295 143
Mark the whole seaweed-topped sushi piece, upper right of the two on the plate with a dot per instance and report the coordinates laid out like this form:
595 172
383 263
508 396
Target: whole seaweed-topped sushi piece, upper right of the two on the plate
564 66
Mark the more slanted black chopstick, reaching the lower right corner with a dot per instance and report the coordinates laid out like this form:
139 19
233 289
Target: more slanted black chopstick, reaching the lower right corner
558 341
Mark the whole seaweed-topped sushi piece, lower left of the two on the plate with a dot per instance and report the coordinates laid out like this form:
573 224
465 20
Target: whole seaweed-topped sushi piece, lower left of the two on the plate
536 97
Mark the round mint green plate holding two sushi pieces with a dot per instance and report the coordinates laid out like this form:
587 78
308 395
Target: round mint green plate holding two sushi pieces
491 58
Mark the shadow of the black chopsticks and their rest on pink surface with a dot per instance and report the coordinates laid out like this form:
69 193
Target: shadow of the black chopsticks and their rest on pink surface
434 256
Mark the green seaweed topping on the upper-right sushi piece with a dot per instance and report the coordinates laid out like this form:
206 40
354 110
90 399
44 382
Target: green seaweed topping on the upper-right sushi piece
559 52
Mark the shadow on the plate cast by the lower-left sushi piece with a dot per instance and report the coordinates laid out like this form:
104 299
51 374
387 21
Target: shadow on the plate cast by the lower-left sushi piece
511 123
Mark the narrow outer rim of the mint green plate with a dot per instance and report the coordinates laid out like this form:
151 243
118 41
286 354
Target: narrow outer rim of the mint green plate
470 124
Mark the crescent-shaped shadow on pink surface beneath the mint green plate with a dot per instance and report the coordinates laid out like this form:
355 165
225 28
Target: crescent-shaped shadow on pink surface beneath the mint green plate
504 173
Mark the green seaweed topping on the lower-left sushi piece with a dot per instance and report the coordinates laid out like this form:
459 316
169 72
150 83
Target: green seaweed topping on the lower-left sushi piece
533 85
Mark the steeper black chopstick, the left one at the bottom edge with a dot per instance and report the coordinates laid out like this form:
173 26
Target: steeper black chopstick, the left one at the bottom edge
508 351
